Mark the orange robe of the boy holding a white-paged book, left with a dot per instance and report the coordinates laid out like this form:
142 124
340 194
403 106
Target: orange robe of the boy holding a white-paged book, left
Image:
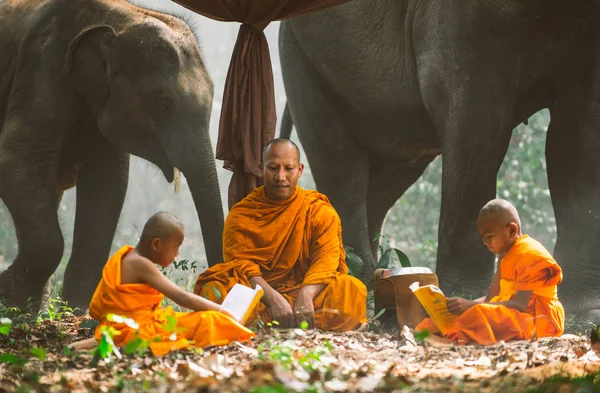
141 303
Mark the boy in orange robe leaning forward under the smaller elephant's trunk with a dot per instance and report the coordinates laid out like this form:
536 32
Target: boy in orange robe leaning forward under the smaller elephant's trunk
132 286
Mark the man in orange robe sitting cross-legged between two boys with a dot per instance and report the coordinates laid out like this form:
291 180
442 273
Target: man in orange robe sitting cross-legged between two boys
289 241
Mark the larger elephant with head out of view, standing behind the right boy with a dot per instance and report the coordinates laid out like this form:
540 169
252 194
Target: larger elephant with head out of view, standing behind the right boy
378 88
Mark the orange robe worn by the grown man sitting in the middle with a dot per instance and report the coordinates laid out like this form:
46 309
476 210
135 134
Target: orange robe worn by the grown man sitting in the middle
290 244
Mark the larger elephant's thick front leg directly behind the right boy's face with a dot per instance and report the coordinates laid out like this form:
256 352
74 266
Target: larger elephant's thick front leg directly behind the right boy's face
474 118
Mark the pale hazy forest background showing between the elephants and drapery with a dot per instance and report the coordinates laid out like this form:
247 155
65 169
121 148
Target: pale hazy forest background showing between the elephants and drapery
411 224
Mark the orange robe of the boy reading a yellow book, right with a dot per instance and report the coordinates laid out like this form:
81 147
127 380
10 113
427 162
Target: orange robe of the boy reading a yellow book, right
527 266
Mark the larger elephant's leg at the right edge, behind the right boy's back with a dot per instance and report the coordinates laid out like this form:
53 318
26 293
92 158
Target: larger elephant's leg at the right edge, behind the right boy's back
572 147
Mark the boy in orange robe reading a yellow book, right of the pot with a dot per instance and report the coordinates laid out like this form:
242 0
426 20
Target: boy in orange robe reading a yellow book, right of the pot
522 299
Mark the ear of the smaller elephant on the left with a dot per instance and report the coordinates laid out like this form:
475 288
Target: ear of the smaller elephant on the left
88 63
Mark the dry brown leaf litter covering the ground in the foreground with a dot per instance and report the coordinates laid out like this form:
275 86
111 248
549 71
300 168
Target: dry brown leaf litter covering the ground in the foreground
298 360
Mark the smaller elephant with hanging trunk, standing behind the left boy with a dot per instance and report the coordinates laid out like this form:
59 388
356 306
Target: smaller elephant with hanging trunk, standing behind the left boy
83 84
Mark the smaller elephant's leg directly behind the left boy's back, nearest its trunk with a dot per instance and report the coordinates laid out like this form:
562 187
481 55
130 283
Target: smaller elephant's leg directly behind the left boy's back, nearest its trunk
101 189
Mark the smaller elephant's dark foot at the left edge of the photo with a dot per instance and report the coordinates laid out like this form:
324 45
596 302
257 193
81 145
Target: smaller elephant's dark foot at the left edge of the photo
18 290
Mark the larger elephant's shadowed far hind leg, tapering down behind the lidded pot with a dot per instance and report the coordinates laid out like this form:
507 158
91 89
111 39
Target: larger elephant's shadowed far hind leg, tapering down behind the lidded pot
388 181
